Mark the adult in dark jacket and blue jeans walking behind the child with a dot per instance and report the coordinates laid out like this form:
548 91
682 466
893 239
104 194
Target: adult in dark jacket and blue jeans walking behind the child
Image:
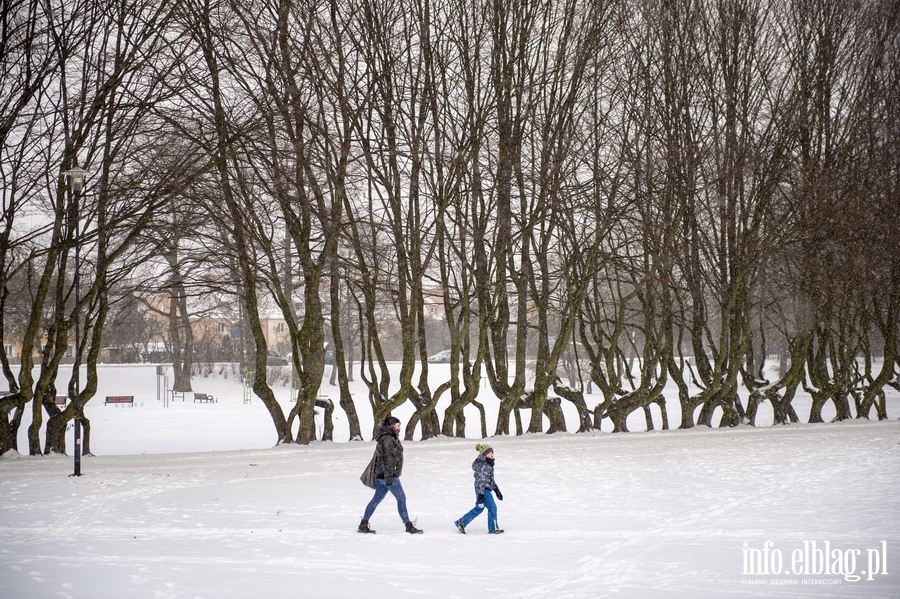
388 467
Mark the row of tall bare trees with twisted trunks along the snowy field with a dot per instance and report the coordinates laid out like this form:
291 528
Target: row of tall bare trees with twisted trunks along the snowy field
632 196
